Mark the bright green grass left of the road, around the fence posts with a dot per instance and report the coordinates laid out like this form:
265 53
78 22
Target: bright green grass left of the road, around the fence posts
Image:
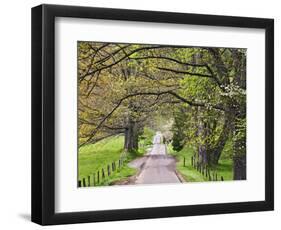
93 157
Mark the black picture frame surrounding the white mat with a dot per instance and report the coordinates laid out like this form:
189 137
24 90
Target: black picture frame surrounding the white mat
43 114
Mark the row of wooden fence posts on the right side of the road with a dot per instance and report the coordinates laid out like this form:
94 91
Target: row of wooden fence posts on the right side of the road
210 174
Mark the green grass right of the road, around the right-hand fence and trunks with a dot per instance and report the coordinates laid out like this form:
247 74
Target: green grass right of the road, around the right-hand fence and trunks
190 174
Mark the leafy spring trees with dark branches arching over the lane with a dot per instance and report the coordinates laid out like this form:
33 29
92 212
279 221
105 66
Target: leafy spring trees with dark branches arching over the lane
196 96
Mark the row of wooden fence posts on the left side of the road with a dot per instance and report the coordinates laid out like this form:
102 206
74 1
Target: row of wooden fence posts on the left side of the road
99 176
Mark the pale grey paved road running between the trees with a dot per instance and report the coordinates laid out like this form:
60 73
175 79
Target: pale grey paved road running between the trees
156 167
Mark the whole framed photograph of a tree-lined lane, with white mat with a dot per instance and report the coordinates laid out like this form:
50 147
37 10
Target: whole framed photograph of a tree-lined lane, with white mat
142 114
